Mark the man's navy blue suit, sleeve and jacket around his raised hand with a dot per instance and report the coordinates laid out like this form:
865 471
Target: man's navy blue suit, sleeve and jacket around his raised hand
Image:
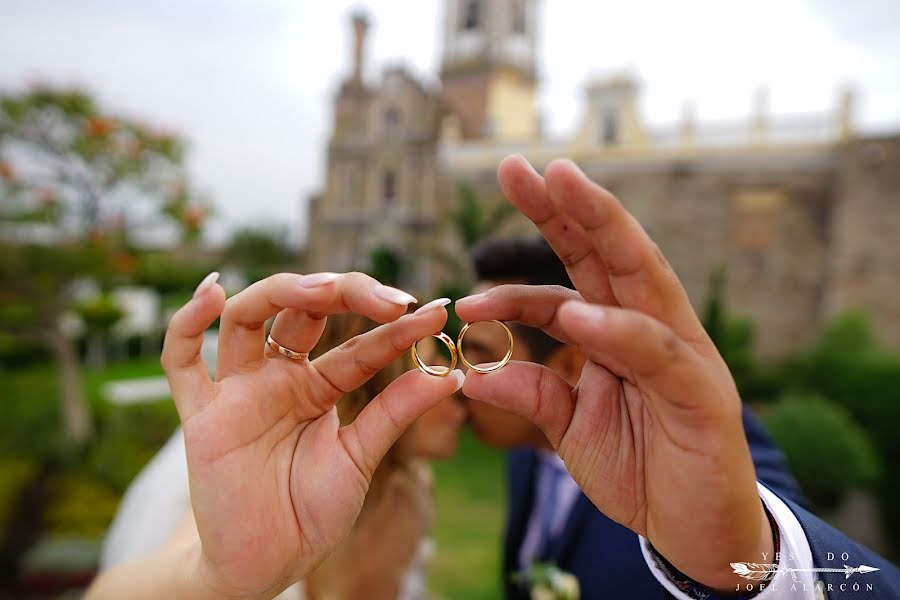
606 557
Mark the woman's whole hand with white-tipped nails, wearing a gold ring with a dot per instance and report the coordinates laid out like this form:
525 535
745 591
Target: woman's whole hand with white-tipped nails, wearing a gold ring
275 482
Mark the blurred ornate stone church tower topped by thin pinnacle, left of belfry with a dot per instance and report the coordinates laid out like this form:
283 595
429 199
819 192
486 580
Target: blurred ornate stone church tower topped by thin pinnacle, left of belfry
380 204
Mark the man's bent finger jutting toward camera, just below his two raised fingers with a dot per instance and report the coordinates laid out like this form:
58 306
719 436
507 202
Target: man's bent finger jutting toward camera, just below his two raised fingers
641 349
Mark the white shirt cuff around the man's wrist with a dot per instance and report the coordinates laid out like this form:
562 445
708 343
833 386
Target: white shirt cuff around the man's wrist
794 554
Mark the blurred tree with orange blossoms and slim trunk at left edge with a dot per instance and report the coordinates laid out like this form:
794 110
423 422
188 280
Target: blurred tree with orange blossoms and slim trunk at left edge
76 184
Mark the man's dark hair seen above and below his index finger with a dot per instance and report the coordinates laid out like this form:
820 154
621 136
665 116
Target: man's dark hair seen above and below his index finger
523 260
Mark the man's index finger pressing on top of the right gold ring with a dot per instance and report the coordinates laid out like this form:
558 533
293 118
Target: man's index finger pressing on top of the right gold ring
531 305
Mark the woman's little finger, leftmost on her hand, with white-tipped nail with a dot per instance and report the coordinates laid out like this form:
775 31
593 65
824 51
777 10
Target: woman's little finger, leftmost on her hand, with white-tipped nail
188 376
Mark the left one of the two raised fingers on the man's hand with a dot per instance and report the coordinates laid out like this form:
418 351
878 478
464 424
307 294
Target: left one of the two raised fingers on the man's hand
527 190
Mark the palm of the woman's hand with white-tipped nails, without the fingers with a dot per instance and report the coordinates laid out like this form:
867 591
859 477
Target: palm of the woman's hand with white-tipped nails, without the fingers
245 465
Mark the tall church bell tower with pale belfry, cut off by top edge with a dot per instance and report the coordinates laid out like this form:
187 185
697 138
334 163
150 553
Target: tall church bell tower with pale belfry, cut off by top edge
488 69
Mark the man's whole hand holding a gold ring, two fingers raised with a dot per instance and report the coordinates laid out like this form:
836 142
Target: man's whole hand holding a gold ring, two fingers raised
652 432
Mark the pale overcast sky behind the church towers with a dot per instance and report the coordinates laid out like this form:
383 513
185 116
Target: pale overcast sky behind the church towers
249 83
